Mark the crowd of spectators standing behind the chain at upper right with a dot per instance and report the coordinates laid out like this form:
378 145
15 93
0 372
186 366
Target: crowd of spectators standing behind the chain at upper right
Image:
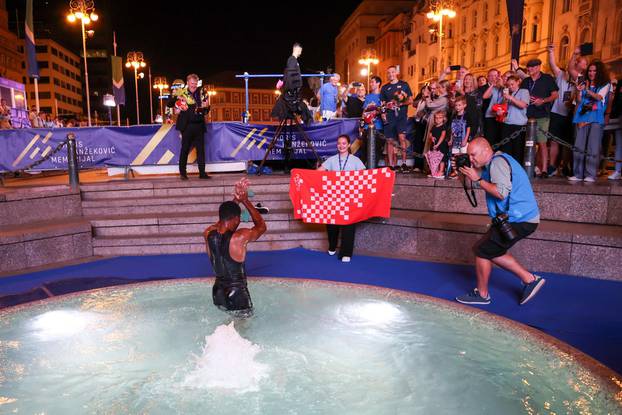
576 104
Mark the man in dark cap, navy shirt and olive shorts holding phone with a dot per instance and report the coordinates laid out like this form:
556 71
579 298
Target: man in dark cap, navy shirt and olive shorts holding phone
543 91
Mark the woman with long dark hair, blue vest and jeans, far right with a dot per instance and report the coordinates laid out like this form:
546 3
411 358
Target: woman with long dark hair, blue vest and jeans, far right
589 118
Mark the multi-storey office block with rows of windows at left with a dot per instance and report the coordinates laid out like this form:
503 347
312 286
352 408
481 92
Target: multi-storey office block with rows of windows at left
60 80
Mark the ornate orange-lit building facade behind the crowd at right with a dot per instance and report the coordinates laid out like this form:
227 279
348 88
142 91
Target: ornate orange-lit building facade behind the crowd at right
478 37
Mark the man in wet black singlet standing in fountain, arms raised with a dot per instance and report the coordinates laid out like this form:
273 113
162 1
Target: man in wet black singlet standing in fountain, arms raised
226 247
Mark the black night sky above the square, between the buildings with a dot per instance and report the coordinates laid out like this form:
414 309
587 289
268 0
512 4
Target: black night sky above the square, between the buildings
206 37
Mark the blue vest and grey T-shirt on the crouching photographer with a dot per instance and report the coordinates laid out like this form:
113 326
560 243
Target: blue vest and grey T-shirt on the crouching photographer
519 202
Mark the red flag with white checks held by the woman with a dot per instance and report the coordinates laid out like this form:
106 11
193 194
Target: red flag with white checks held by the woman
341 197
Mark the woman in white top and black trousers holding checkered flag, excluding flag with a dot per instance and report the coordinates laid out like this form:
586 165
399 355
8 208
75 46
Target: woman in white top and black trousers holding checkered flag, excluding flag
342 161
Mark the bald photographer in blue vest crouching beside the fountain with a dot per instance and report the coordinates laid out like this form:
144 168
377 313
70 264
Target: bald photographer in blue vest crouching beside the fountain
514 212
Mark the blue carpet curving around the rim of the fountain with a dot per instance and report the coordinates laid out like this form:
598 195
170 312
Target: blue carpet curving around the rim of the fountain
582 312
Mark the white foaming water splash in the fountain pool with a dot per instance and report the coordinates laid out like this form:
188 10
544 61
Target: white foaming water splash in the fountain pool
227 362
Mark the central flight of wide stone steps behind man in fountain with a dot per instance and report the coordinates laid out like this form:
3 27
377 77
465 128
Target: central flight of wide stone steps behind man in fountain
169 216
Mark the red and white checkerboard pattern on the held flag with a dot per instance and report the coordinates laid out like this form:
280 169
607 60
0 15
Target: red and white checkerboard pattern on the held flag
340 197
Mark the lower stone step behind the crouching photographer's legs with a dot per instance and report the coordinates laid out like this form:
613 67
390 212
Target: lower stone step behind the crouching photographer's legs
560 247
